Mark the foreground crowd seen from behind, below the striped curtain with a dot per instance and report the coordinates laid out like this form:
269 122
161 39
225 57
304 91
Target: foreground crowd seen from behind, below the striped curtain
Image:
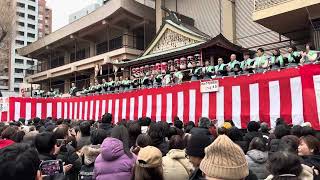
149 150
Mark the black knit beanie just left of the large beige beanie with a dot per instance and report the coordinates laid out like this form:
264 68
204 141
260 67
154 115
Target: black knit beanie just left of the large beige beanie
196 145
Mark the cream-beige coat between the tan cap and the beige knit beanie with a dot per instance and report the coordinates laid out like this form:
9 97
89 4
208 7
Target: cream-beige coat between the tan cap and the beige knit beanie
176 166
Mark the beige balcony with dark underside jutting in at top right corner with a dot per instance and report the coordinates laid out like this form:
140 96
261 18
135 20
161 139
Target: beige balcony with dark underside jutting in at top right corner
287 17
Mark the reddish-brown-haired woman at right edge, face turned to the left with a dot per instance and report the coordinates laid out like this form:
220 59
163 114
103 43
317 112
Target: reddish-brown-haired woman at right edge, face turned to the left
309 151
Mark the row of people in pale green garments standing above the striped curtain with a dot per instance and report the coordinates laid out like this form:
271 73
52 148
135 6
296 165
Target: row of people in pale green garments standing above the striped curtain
173 73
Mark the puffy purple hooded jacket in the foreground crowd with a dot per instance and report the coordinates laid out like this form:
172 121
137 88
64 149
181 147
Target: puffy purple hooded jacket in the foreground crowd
112 163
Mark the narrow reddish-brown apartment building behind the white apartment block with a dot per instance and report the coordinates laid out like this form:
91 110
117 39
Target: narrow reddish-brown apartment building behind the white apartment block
44 19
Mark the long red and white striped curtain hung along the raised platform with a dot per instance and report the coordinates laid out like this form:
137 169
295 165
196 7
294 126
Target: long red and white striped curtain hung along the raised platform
293 94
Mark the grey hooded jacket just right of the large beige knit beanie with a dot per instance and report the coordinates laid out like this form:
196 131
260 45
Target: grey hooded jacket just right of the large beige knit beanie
257 163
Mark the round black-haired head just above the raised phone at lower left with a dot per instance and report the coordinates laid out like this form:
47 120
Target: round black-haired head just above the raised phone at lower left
45 142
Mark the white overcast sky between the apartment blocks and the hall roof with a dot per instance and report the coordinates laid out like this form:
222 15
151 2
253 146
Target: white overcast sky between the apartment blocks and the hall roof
61 9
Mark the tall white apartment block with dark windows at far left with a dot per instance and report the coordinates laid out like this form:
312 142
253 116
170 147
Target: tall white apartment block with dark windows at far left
26 33
